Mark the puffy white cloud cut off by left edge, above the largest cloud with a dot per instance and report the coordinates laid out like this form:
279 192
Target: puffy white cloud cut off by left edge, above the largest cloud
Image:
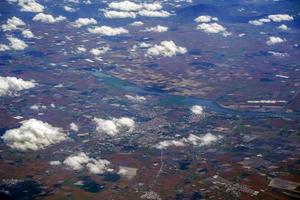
11 85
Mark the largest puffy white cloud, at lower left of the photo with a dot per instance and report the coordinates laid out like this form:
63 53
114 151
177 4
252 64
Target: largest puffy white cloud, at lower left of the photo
33 135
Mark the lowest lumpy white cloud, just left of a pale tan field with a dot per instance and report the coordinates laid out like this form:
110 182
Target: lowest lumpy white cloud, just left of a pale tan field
83 161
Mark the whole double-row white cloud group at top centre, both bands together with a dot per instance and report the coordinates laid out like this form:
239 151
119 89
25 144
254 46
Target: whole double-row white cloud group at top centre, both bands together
129 9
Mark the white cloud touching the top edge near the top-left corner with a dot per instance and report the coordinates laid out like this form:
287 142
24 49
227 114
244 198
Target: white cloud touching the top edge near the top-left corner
29 5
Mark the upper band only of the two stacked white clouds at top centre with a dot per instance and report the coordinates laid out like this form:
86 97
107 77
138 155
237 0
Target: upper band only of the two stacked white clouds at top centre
132 6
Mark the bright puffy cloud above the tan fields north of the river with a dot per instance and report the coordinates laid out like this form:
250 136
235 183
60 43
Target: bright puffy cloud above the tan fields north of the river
166 49
